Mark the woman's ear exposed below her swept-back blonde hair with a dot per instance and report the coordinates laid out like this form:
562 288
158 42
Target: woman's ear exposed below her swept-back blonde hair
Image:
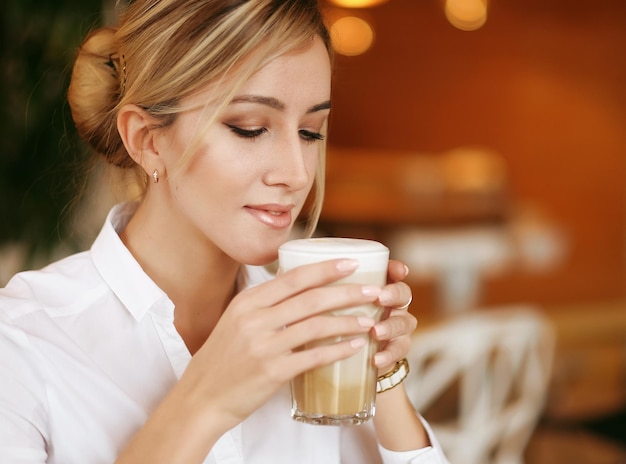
133 124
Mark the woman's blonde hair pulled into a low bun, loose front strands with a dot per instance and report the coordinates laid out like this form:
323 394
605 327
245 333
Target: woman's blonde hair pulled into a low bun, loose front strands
166 50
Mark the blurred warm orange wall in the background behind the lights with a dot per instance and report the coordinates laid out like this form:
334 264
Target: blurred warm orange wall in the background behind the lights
543 83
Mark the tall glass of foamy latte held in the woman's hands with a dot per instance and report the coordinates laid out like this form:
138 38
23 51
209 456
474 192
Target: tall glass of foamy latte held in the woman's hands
345 391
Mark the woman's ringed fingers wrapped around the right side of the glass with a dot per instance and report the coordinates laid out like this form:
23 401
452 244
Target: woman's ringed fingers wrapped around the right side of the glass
394 332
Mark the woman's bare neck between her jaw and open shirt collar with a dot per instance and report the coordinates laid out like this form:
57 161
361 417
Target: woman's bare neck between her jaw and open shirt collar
196 275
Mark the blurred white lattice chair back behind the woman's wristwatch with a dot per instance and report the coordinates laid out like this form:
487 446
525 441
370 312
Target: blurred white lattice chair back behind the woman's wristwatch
495 366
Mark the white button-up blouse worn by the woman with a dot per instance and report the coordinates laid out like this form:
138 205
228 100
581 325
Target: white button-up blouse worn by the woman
88 348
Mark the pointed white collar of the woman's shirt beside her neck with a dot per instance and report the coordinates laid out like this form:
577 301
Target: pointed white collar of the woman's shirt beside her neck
119 269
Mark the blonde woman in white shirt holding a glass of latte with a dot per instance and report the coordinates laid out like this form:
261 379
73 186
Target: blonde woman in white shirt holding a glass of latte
168 341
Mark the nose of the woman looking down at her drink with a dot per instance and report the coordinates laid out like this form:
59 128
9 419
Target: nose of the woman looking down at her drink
292 164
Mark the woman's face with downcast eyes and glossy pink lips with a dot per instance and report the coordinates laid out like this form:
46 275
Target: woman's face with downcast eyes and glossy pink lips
250 176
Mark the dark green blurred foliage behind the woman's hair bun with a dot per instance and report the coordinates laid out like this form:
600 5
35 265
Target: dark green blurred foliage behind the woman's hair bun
41 157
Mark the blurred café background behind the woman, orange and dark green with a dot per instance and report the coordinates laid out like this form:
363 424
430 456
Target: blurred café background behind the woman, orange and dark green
483 141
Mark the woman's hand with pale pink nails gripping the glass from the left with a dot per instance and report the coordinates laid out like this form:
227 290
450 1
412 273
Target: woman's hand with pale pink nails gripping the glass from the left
255 347
